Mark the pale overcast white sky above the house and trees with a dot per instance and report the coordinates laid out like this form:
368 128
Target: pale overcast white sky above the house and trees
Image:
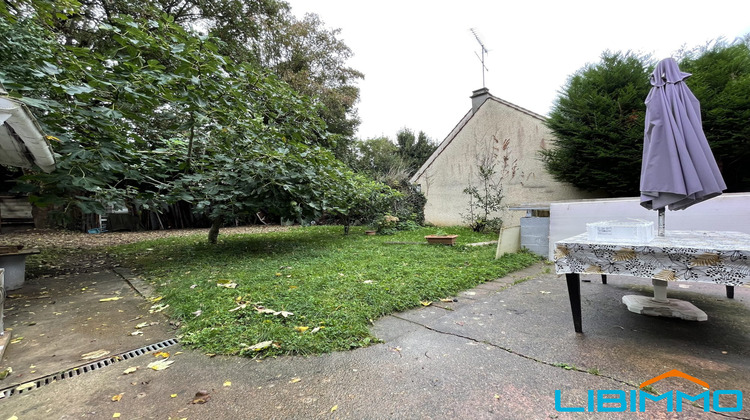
420 58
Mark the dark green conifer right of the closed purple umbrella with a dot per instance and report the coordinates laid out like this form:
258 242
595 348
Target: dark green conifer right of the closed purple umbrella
721 82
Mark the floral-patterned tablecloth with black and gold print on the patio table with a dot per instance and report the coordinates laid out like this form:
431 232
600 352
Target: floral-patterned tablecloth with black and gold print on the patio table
714 257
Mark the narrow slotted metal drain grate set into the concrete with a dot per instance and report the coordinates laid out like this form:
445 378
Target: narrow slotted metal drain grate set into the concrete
18 389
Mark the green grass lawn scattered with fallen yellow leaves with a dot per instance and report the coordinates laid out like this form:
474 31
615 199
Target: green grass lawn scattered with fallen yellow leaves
308 290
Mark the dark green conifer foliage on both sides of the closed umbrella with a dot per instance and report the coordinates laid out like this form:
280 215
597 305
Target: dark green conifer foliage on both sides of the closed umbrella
598 119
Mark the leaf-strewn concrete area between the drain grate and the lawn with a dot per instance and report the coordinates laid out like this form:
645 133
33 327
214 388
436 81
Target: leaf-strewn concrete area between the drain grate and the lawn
55 321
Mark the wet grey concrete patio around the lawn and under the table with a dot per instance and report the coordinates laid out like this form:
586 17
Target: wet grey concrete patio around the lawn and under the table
500 352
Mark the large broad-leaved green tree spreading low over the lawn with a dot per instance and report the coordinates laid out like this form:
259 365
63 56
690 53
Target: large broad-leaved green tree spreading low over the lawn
160 116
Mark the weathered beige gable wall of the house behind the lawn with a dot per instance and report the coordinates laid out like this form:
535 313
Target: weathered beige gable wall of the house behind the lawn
505 134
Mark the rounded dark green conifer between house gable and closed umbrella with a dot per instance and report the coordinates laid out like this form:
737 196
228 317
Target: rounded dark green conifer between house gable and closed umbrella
598 122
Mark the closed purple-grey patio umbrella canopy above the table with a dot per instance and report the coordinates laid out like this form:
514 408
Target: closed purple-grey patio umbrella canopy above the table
678 168
